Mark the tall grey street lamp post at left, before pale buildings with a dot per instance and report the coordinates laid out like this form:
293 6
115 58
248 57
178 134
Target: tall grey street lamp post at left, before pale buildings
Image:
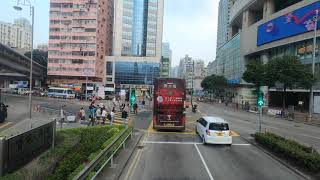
19 8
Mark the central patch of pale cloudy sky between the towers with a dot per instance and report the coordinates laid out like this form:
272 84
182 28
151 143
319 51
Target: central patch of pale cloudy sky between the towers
191 29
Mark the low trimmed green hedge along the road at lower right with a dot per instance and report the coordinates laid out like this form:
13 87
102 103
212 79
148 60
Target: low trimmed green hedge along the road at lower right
300 155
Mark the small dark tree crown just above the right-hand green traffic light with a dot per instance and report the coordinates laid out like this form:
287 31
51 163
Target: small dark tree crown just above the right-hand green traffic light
255 74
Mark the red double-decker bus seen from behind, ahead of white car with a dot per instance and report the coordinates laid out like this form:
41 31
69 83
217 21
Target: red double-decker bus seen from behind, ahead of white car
169 99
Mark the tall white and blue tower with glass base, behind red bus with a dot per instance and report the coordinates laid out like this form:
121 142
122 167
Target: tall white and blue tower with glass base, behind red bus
137 42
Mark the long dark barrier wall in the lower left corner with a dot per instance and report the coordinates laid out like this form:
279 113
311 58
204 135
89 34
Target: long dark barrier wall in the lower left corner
18 150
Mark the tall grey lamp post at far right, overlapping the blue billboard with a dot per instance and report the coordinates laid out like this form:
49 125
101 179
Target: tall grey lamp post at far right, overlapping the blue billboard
315 19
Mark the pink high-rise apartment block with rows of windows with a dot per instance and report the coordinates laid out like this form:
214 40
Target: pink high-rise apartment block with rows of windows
80 37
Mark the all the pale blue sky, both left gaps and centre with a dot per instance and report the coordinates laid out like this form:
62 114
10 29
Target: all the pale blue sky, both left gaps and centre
190 26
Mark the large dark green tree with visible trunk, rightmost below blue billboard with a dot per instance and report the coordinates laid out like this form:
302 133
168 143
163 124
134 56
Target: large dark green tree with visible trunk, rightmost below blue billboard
288 71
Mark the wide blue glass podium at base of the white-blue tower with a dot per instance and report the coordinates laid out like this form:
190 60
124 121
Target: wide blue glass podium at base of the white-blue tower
136 73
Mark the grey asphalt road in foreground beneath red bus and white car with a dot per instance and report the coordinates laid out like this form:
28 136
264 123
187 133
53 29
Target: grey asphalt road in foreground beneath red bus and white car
181 155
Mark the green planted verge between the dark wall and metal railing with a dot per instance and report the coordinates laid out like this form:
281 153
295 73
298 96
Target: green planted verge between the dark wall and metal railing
73 148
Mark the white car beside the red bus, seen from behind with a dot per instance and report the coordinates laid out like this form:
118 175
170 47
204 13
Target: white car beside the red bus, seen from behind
214 130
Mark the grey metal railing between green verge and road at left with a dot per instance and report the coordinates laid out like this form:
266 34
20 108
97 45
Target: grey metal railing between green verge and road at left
88 168
